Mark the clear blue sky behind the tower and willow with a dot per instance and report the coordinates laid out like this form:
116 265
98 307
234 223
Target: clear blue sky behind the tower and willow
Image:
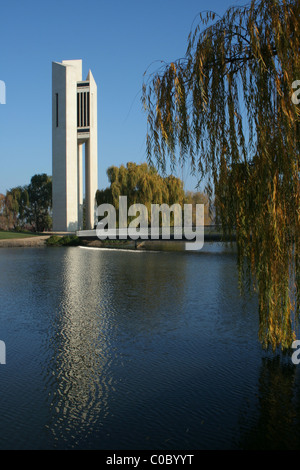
117 40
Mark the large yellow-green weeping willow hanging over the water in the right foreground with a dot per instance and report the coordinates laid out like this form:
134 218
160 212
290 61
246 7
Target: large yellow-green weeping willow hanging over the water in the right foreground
227 107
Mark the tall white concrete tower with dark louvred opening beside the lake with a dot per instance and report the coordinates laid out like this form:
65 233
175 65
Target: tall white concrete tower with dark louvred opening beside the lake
74 123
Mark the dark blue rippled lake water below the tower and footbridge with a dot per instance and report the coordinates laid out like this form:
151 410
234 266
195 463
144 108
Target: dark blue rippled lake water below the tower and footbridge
137 350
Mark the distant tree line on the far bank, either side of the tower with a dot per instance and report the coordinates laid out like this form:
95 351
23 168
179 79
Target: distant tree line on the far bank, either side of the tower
29 207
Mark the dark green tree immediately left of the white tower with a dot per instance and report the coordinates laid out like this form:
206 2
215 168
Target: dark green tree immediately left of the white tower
40 202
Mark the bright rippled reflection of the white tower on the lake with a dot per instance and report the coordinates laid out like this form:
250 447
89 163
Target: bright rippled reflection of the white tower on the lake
82 361
